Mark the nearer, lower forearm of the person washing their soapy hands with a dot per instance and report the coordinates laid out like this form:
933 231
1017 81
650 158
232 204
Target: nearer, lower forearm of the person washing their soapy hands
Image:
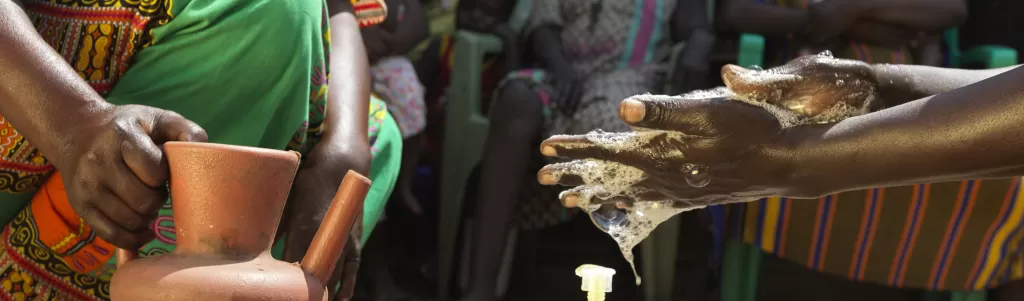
972 133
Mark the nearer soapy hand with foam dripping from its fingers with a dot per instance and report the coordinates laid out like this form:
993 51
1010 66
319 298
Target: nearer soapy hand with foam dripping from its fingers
741 149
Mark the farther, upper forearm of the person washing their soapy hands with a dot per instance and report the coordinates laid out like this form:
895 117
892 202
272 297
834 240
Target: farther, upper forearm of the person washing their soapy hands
902 83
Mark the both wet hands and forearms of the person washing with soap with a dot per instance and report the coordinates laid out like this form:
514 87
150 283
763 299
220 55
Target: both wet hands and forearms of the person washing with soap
749 155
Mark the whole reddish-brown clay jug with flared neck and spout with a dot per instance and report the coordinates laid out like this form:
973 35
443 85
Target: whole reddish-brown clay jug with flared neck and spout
228 203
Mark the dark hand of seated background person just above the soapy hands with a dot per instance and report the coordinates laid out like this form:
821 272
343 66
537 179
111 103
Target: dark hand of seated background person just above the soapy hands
830 19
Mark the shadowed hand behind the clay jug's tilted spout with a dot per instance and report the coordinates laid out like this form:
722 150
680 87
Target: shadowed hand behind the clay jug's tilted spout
316 186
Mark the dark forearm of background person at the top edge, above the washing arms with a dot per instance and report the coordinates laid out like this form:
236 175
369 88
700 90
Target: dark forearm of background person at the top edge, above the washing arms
921 15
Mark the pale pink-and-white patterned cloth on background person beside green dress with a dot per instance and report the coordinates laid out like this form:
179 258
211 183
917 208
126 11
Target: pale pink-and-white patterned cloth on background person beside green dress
396 81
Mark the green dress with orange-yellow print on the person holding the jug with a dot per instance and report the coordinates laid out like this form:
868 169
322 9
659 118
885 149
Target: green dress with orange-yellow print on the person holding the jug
174 58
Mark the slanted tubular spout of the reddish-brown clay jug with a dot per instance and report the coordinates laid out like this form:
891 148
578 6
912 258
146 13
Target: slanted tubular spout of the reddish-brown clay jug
333 234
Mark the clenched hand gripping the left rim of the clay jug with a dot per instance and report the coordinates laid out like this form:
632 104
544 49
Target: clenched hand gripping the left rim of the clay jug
116 174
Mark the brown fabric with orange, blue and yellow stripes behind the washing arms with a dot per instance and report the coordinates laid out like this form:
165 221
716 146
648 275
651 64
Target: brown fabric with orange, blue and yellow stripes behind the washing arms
950 236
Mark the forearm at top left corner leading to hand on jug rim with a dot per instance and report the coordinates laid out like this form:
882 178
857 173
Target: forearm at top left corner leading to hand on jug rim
40 94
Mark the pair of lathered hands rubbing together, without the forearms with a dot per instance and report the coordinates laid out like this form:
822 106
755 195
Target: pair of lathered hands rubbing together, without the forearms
712 148
